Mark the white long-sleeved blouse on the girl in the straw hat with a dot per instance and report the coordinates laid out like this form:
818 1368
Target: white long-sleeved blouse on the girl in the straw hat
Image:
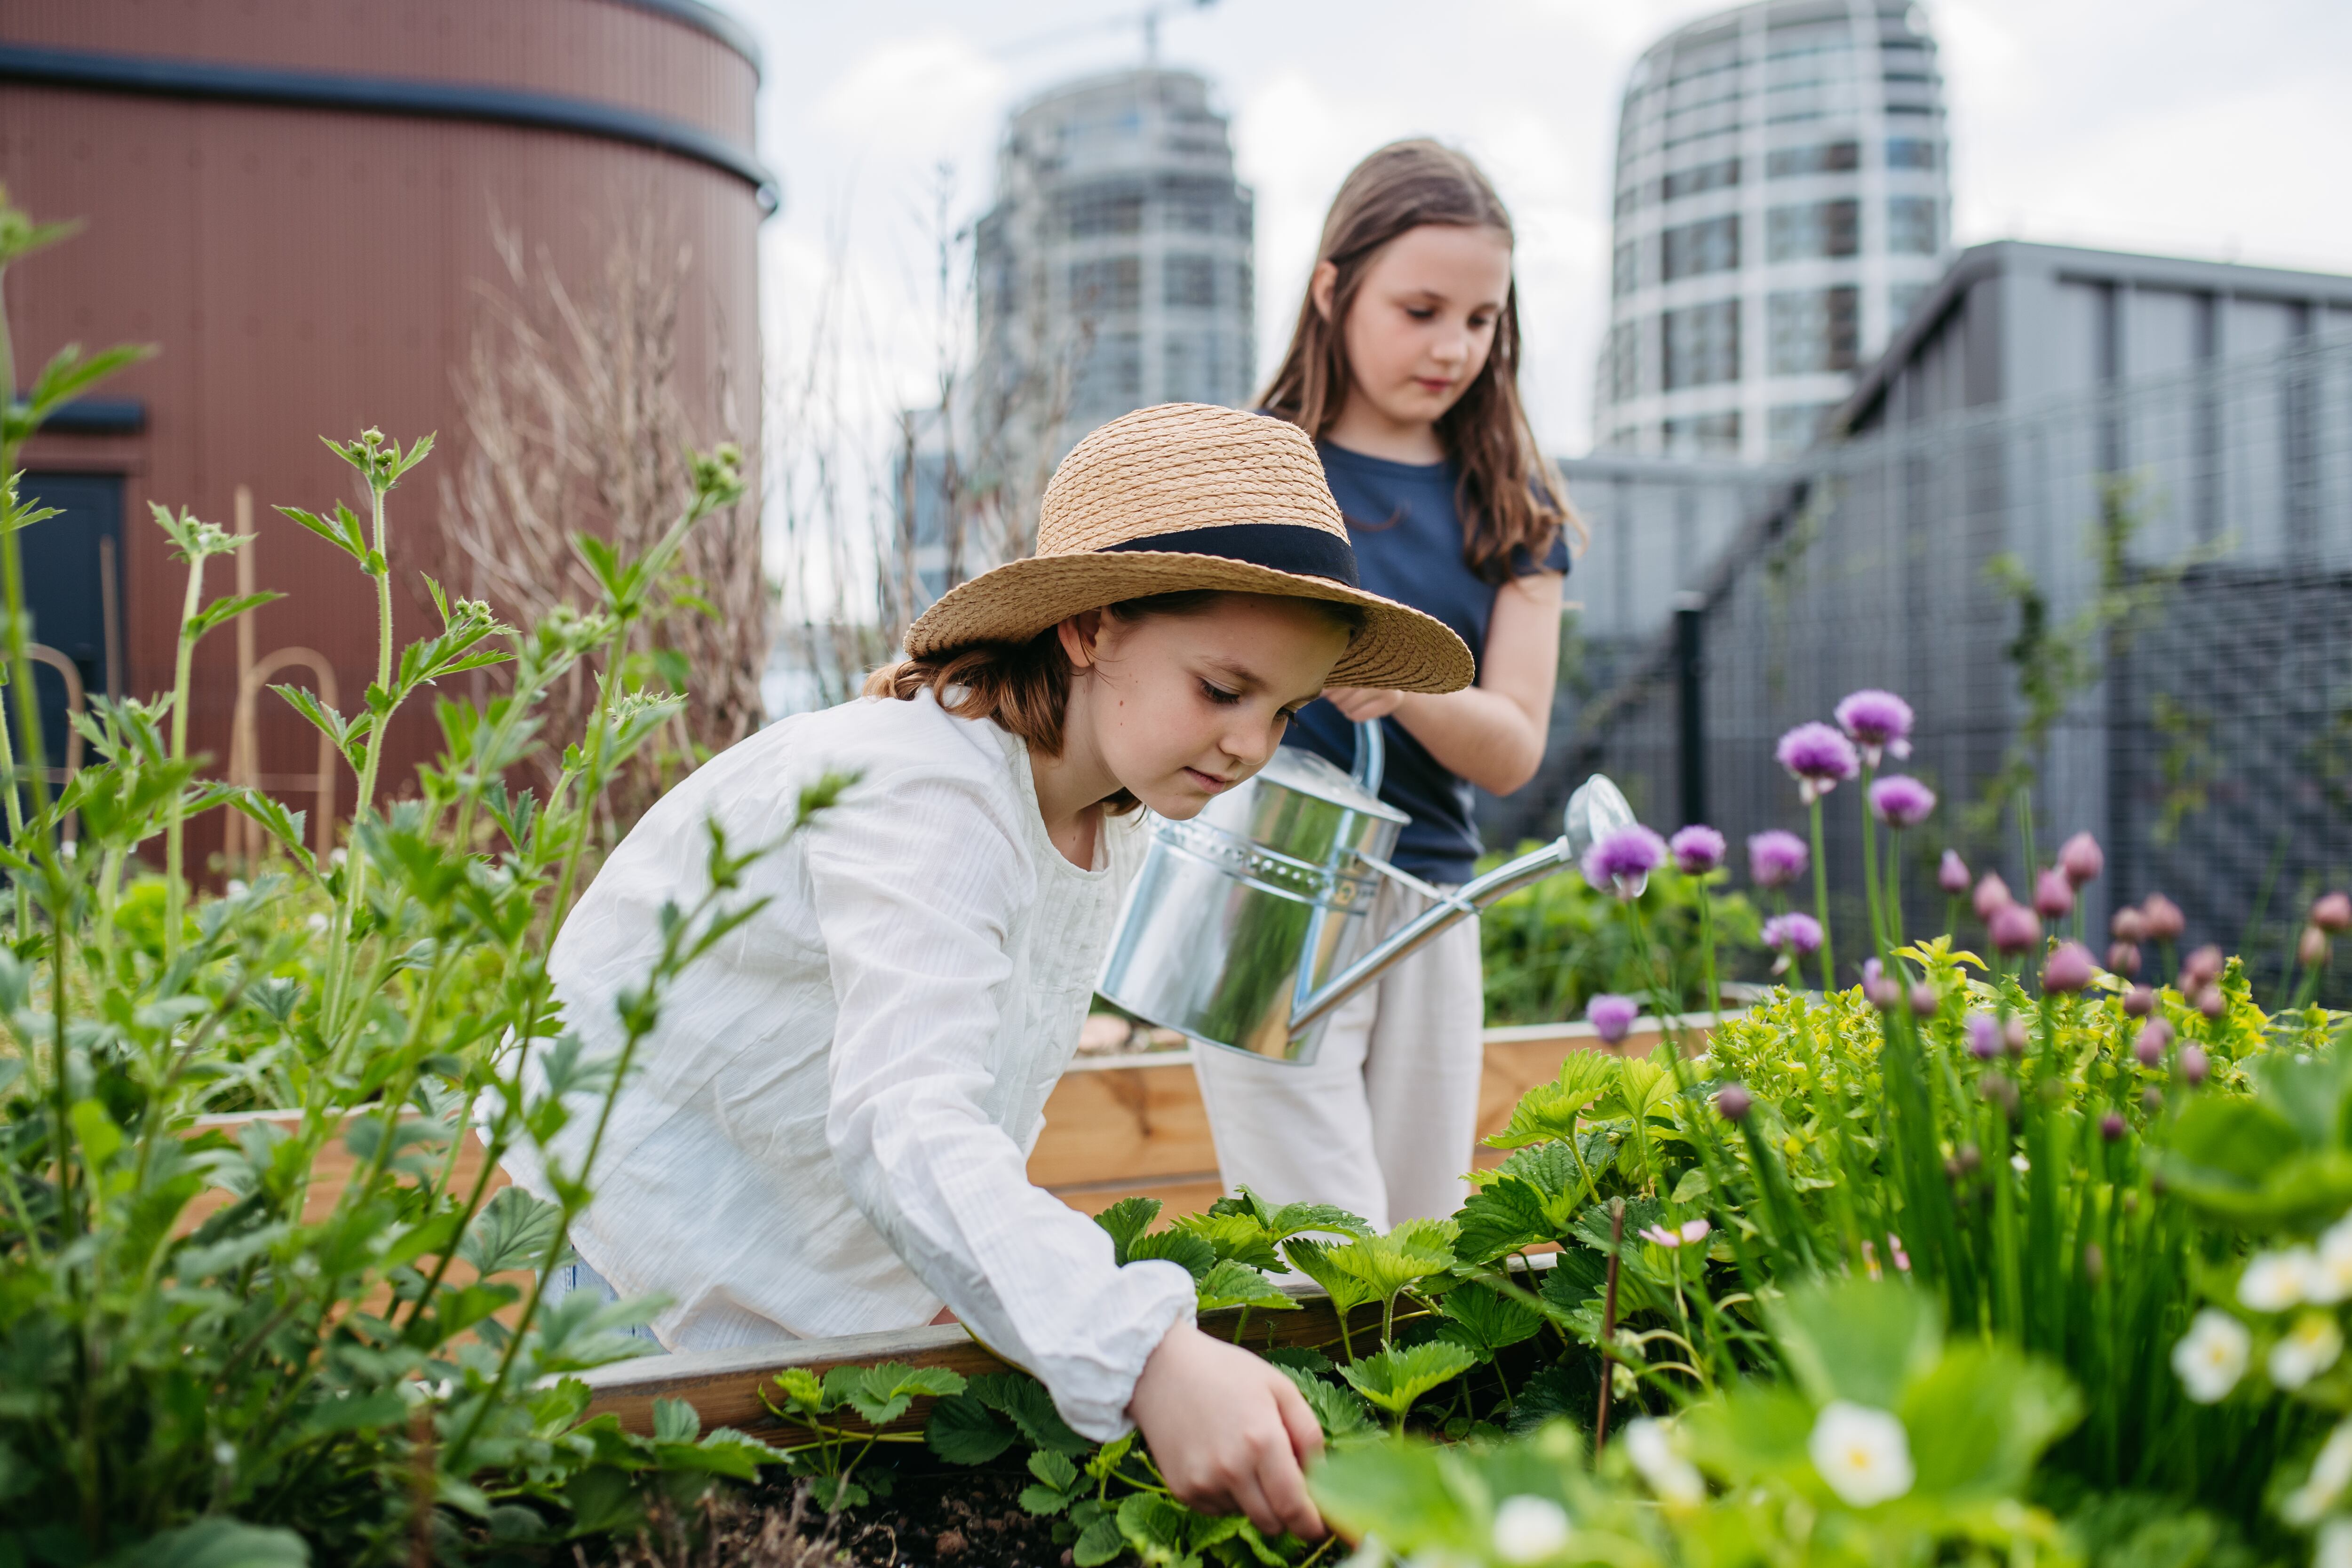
829 1130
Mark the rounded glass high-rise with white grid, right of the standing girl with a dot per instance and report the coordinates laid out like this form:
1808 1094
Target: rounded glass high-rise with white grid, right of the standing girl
1782 201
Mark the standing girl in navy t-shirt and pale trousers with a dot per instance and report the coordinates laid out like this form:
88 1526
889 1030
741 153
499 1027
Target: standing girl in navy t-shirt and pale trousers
1405 370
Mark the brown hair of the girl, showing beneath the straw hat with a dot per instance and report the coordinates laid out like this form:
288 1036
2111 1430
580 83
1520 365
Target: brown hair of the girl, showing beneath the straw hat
1027 685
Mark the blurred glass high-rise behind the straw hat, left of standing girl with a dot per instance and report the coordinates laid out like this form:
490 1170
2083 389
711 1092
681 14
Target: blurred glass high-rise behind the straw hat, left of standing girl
1116 264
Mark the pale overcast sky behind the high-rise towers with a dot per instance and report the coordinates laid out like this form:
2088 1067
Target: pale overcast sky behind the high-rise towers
2210 128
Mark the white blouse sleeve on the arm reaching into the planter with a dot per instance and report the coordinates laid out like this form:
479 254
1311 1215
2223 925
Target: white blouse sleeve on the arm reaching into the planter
914 883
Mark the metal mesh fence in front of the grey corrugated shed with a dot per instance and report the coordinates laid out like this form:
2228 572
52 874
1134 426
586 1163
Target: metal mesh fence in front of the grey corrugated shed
2125 612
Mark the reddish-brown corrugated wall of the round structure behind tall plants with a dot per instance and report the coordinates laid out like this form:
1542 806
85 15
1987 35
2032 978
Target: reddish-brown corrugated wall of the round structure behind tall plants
312 272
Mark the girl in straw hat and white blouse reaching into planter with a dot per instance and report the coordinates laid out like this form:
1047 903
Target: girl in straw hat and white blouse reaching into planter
831 1125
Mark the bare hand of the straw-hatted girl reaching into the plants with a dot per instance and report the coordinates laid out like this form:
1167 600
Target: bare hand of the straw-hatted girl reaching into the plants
1229 1433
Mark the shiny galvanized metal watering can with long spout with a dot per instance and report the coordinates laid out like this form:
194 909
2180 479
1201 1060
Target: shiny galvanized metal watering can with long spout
1250 923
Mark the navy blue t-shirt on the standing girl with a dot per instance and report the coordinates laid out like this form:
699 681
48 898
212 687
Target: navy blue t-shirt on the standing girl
1410 549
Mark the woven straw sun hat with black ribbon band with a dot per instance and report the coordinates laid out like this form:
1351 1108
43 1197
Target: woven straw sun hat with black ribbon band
1194 497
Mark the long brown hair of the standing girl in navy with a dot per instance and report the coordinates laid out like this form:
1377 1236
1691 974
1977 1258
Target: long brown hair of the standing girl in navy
1511 497
